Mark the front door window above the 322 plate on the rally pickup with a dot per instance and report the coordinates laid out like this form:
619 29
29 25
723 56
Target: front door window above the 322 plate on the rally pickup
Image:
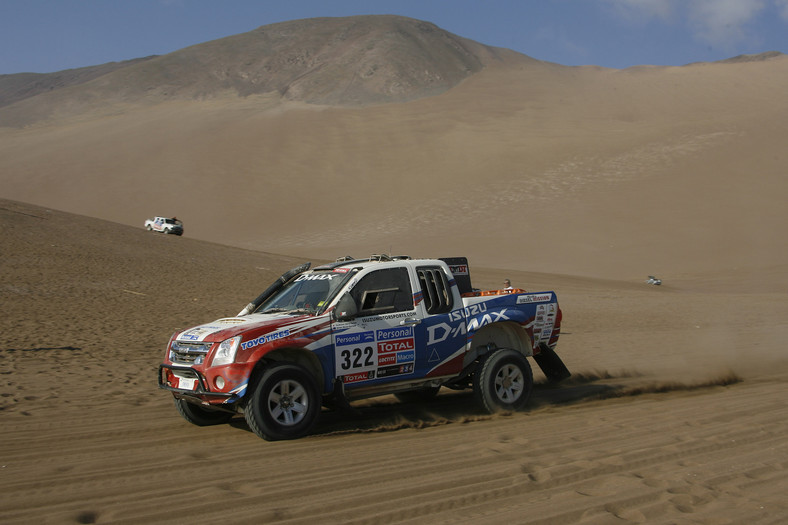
383 292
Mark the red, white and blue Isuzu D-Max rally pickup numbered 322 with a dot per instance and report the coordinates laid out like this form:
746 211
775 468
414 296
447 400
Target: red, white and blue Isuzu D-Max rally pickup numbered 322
360 328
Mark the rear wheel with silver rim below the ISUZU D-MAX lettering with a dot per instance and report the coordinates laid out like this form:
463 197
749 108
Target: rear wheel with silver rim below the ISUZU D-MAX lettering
503 382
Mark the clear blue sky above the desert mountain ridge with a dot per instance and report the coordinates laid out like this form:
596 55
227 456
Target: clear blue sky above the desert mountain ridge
50 35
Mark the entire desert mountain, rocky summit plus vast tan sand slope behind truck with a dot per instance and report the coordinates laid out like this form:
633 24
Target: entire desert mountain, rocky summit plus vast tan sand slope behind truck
522 164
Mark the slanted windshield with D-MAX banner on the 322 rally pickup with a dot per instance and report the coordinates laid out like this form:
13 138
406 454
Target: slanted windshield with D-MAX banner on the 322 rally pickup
310 292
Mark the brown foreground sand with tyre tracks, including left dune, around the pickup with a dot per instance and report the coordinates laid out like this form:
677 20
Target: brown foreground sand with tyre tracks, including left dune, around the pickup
677 411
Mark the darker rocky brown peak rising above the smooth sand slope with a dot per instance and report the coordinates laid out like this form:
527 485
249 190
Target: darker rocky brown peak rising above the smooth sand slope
340 61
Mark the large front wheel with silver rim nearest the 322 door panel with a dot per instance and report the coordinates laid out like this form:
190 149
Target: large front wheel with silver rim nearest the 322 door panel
284 404
